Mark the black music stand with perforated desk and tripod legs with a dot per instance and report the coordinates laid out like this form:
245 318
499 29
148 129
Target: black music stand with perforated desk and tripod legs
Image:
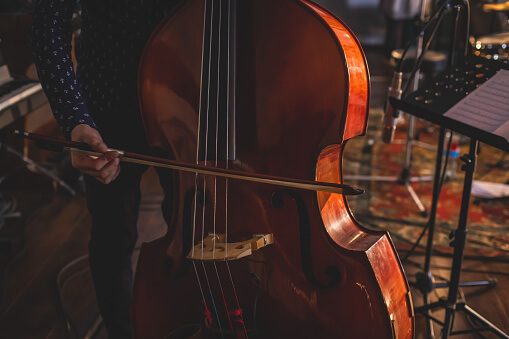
430 103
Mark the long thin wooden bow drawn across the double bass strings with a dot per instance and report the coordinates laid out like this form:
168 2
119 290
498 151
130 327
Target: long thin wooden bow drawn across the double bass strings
58 145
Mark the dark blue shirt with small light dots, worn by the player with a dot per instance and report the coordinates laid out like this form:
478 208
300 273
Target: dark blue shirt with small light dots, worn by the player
103 91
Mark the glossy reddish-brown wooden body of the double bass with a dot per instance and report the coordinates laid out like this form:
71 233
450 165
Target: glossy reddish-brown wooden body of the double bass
295 84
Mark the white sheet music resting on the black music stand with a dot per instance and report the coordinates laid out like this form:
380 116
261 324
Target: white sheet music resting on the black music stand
487 107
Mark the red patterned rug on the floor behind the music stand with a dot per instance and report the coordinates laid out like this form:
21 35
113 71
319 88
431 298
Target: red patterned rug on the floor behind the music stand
389 206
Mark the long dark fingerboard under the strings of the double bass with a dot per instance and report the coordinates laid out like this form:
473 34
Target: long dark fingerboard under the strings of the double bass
217 107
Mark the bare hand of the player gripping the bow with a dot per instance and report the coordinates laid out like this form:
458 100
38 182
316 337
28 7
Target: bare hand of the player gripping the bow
104 168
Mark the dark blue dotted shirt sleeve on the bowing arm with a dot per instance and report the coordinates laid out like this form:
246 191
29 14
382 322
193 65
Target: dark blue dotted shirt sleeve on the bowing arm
51 35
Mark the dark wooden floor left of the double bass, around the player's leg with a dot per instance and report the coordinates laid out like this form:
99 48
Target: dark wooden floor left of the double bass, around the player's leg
50 261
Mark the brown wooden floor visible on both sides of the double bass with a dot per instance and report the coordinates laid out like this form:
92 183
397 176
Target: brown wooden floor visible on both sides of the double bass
50 247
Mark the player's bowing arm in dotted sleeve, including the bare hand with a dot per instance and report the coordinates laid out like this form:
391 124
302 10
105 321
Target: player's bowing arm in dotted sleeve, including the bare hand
51 36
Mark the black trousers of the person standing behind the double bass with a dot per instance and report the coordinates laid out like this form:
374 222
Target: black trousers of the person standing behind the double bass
114 210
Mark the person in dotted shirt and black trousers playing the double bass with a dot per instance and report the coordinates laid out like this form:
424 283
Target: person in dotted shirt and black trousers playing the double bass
98 105
